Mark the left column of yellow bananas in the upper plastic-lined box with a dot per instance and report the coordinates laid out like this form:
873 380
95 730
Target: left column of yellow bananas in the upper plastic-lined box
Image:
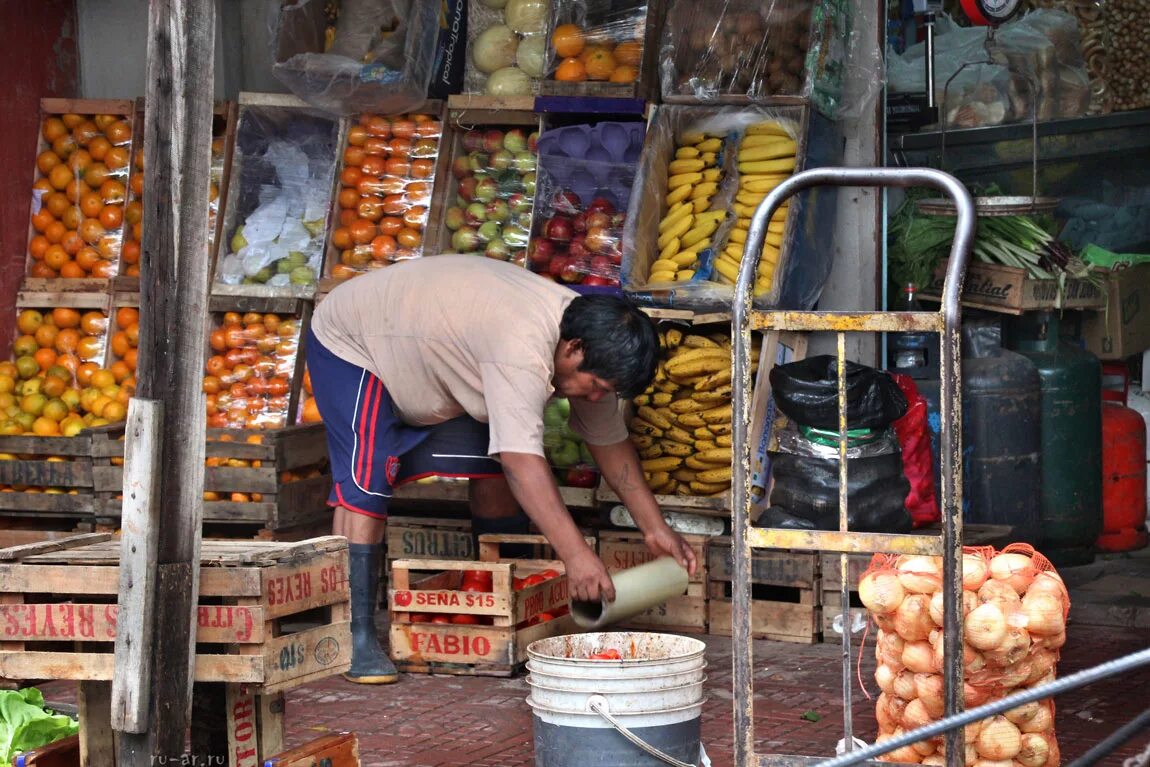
693 180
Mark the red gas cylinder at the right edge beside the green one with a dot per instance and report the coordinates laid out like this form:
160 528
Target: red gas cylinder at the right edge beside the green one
1124 479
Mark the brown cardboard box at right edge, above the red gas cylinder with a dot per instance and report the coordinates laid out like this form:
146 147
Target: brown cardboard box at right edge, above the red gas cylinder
1124 328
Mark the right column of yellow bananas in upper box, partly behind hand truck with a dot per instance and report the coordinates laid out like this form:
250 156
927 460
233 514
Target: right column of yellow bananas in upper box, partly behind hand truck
766 158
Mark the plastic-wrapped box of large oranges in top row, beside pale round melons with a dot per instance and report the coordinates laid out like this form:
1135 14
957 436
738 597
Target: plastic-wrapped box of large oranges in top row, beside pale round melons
597 43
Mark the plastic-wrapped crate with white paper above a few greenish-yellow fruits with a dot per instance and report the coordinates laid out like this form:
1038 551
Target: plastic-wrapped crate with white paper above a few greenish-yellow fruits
279 198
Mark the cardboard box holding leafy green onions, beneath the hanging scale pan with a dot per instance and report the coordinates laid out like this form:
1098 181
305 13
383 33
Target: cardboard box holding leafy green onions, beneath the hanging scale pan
1014 292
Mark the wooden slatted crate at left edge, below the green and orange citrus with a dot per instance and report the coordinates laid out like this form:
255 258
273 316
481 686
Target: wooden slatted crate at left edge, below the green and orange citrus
60 465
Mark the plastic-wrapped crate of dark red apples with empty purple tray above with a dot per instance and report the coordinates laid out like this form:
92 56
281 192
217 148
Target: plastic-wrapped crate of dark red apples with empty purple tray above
585 182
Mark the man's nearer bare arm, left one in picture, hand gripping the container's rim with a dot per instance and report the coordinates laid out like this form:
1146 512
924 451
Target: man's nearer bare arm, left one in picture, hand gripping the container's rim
535 489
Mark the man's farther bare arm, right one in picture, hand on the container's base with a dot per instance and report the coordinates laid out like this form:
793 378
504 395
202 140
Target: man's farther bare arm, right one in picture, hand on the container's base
622 469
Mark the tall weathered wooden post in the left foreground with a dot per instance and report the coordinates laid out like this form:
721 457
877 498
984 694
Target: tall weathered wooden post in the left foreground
174 292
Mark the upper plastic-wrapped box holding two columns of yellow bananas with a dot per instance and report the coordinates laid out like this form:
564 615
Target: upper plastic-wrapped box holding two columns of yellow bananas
703 173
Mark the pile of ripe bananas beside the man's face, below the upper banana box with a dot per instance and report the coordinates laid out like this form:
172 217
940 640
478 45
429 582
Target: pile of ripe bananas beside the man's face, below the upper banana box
681 426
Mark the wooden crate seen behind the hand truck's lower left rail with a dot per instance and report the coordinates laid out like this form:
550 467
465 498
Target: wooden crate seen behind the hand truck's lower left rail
785 594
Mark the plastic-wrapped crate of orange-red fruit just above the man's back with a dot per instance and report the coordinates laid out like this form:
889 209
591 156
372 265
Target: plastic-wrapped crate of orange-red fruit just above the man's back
385 194
